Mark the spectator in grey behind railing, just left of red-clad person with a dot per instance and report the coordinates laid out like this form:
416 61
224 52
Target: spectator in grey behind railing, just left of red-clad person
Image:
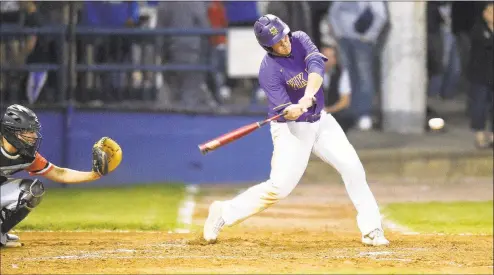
188 88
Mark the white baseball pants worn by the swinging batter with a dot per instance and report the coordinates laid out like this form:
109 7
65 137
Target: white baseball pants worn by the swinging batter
293 143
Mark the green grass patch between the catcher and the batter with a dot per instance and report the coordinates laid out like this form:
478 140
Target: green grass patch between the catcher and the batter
140 207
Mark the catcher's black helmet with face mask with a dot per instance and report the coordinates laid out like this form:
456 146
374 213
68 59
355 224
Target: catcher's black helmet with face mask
16 121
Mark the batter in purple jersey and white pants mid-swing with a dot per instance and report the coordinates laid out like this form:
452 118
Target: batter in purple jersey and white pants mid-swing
291 74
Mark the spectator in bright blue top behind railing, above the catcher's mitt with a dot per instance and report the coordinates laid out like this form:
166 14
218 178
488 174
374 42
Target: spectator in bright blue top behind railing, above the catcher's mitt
112 49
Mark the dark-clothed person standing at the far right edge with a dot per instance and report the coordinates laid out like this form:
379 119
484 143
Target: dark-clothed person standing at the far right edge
481 76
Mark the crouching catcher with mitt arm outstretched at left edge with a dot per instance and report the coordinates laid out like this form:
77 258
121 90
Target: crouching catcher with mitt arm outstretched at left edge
20 139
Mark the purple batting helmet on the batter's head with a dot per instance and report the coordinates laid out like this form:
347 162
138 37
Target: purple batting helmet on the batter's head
269 30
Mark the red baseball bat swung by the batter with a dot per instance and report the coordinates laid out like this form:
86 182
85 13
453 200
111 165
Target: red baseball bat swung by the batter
234 135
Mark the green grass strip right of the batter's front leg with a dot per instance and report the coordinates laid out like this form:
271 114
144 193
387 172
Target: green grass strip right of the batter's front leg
443 217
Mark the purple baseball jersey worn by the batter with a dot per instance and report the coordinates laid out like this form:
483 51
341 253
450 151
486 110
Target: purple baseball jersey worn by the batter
284 79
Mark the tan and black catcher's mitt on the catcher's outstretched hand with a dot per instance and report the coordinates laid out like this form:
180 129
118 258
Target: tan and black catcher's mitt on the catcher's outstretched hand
107 155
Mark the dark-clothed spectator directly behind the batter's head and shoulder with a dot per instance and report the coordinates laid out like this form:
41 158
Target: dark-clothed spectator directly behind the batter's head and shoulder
297 14
